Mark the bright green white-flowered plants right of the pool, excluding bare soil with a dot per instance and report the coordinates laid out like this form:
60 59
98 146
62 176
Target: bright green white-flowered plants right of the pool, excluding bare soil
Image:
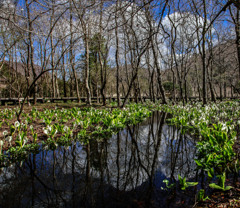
214 126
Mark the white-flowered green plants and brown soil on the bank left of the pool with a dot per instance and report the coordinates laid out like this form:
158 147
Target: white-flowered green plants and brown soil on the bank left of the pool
59 126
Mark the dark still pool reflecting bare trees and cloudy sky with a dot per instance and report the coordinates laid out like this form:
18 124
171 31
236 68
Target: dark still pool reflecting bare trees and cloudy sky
124 171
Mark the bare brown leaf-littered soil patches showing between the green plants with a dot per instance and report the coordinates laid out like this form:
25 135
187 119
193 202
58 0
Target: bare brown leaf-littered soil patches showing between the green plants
217 199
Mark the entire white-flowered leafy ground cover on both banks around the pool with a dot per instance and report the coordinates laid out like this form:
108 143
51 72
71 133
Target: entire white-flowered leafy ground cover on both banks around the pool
215 126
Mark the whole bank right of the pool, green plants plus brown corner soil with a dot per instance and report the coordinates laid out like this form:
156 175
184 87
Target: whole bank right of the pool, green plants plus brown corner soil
216 127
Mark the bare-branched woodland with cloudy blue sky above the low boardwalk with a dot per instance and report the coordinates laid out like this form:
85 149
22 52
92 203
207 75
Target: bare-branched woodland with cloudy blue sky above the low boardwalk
100 48
